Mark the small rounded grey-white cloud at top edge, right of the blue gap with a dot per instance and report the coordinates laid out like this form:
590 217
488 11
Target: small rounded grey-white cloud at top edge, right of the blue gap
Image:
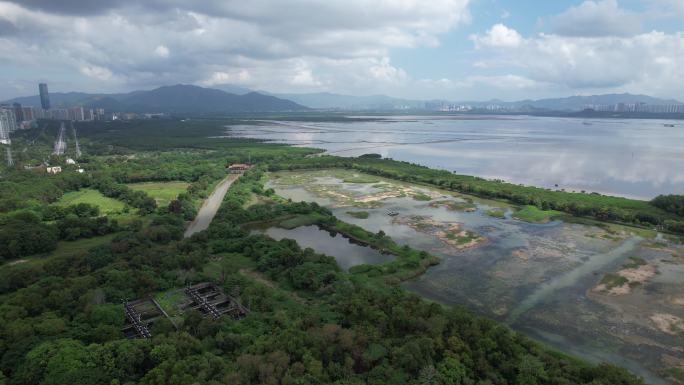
597 18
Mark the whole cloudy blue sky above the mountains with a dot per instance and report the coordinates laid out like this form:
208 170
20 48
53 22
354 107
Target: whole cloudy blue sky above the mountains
446 49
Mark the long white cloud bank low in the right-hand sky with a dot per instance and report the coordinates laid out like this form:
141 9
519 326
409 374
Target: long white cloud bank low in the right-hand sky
646 62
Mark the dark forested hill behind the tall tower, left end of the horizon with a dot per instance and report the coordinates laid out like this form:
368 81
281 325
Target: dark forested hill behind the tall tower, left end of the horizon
171 99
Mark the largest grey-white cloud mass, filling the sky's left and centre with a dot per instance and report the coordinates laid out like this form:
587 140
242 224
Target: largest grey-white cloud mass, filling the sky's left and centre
297 45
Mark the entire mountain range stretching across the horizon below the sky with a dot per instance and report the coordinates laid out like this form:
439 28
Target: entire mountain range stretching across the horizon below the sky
227 98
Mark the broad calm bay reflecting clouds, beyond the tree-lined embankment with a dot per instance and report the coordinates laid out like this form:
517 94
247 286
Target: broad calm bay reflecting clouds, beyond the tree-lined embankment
630 157
